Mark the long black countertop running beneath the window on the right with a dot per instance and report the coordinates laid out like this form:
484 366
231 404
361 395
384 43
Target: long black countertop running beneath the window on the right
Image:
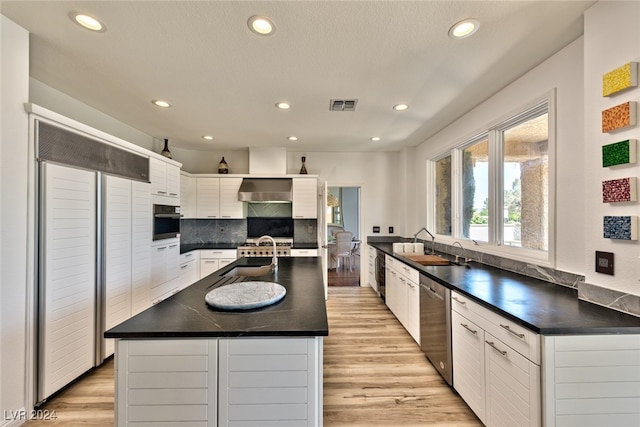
545 308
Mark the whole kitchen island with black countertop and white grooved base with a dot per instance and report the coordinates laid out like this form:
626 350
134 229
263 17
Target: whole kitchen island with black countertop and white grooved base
181 362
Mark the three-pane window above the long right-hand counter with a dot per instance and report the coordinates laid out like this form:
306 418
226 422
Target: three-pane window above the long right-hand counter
494 188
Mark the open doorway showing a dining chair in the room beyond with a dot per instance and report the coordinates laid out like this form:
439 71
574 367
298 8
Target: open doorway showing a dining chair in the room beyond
343 232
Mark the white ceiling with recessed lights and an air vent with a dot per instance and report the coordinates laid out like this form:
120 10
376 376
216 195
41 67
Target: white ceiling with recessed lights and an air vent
224 80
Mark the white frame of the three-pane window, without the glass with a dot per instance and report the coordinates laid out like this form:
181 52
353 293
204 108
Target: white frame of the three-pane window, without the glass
493 133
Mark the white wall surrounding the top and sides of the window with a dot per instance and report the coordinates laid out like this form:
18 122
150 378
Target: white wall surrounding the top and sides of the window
564 72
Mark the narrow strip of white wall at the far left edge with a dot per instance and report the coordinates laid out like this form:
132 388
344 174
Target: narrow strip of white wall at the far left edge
14 166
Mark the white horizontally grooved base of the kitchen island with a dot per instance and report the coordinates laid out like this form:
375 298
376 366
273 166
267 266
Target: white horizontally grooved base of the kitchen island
269 381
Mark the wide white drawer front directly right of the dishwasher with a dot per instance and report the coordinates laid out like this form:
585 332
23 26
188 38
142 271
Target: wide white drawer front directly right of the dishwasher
521 339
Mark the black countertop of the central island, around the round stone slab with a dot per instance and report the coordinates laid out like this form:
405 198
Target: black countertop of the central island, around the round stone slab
302 312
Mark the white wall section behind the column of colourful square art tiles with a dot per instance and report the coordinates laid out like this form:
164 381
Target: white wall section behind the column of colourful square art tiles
612 38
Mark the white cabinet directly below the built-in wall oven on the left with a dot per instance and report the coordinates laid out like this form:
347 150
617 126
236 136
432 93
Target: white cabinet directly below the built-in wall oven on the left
165 269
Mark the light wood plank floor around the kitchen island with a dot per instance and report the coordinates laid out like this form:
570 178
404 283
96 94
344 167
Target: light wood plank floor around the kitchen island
374 375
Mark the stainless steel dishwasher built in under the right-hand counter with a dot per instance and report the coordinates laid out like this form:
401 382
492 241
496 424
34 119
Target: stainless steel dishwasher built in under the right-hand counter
435 326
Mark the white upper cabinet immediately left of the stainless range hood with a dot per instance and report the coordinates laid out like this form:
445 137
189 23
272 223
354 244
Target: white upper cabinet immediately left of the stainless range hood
218 198
